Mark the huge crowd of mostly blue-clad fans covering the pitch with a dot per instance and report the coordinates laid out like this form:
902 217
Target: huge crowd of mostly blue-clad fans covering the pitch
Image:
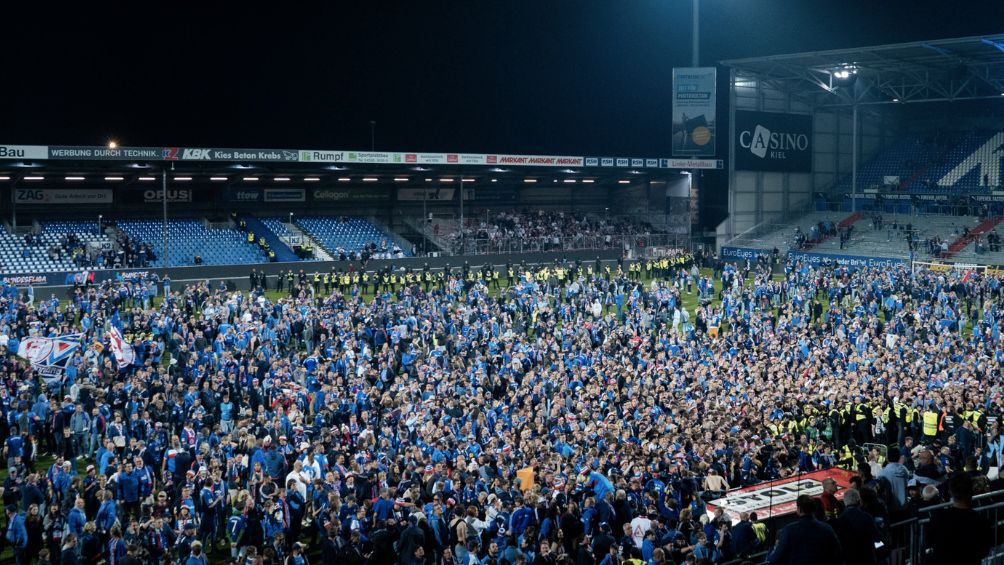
579 414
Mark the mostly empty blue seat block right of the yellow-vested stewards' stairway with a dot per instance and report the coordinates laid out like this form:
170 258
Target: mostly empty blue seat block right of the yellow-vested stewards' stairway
341 236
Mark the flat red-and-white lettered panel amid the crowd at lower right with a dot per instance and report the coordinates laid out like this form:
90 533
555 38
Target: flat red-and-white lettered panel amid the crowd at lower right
778 498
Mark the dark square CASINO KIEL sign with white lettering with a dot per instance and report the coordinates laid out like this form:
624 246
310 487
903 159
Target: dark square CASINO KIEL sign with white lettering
774 142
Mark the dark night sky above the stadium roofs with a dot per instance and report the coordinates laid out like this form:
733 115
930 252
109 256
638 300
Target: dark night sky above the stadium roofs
562 78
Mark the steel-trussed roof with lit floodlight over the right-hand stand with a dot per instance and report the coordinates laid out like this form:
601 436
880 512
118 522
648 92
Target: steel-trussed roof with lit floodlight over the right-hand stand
963 69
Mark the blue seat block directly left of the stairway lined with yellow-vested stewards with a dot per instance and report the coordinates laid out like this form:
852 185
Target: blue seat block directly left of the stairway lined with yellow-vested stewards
190 238
